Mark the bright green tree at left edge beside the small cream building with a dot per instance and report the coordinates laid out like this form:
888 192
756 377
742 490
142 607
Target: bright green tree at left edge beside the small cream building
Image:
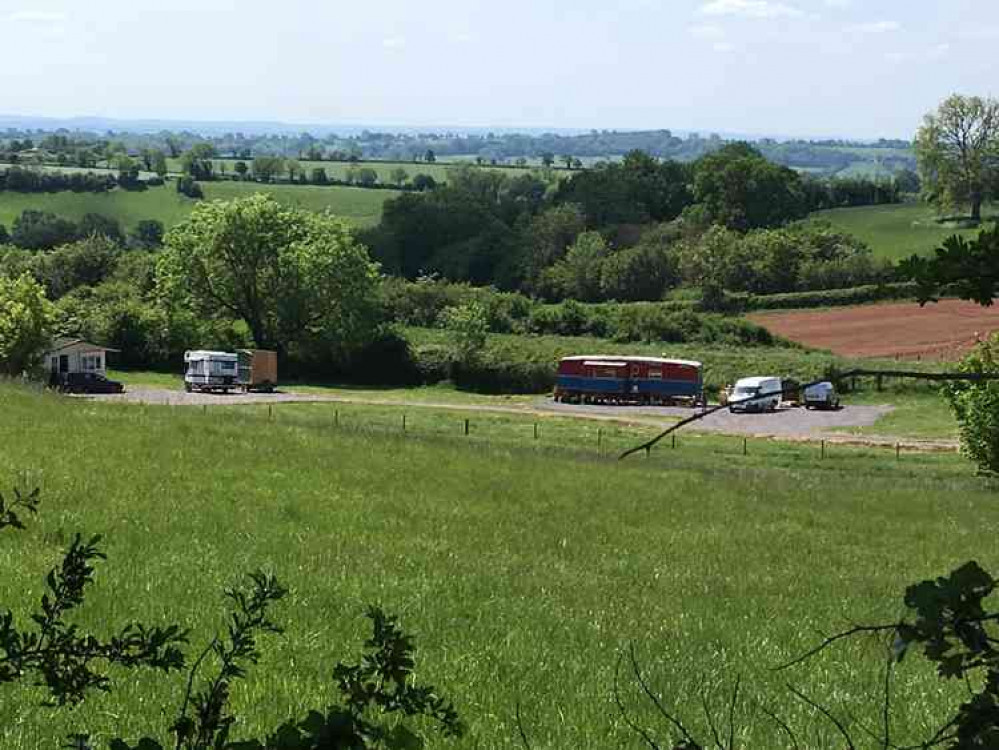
25 324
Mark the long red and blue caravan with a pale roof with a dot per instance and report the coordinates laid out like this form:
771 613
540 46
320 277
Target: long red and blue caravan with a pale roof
651 381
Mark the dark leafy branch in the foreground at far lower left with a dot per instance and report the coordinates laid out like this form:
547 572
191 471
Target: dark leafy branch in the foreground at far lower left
64 659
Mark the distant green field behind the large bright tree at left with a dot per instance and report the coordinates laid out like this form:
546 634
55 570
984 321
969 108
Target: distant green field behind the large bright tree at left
359 206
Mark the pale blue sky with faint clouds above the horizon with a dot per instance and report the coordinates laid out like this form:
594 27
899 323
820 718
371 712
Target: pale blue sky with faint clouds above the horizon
810 68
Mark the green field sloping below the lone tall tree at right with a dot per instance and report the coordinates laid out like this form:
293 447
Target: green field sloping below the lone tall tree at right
893 231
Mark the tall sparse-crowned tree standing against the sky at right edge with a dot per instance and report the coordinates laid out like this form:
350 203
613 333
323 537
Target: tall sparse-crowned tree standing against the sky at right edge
958 152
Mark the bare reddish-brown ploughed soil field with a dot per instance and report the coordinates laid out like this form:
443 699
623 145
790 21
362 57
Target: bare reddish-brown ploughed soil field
942 331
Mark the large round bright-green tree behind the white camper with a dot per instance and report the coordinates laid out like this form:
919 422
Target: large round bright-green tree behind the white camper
287 273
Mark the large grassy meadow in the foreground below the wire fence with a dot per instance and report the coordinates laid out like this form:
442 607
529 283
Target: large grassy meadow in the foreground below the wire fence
523 567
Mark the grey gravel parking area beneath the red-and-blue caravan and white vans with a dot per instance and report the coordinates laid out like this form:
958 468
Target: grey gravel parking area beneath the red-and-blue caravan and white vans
796 422
